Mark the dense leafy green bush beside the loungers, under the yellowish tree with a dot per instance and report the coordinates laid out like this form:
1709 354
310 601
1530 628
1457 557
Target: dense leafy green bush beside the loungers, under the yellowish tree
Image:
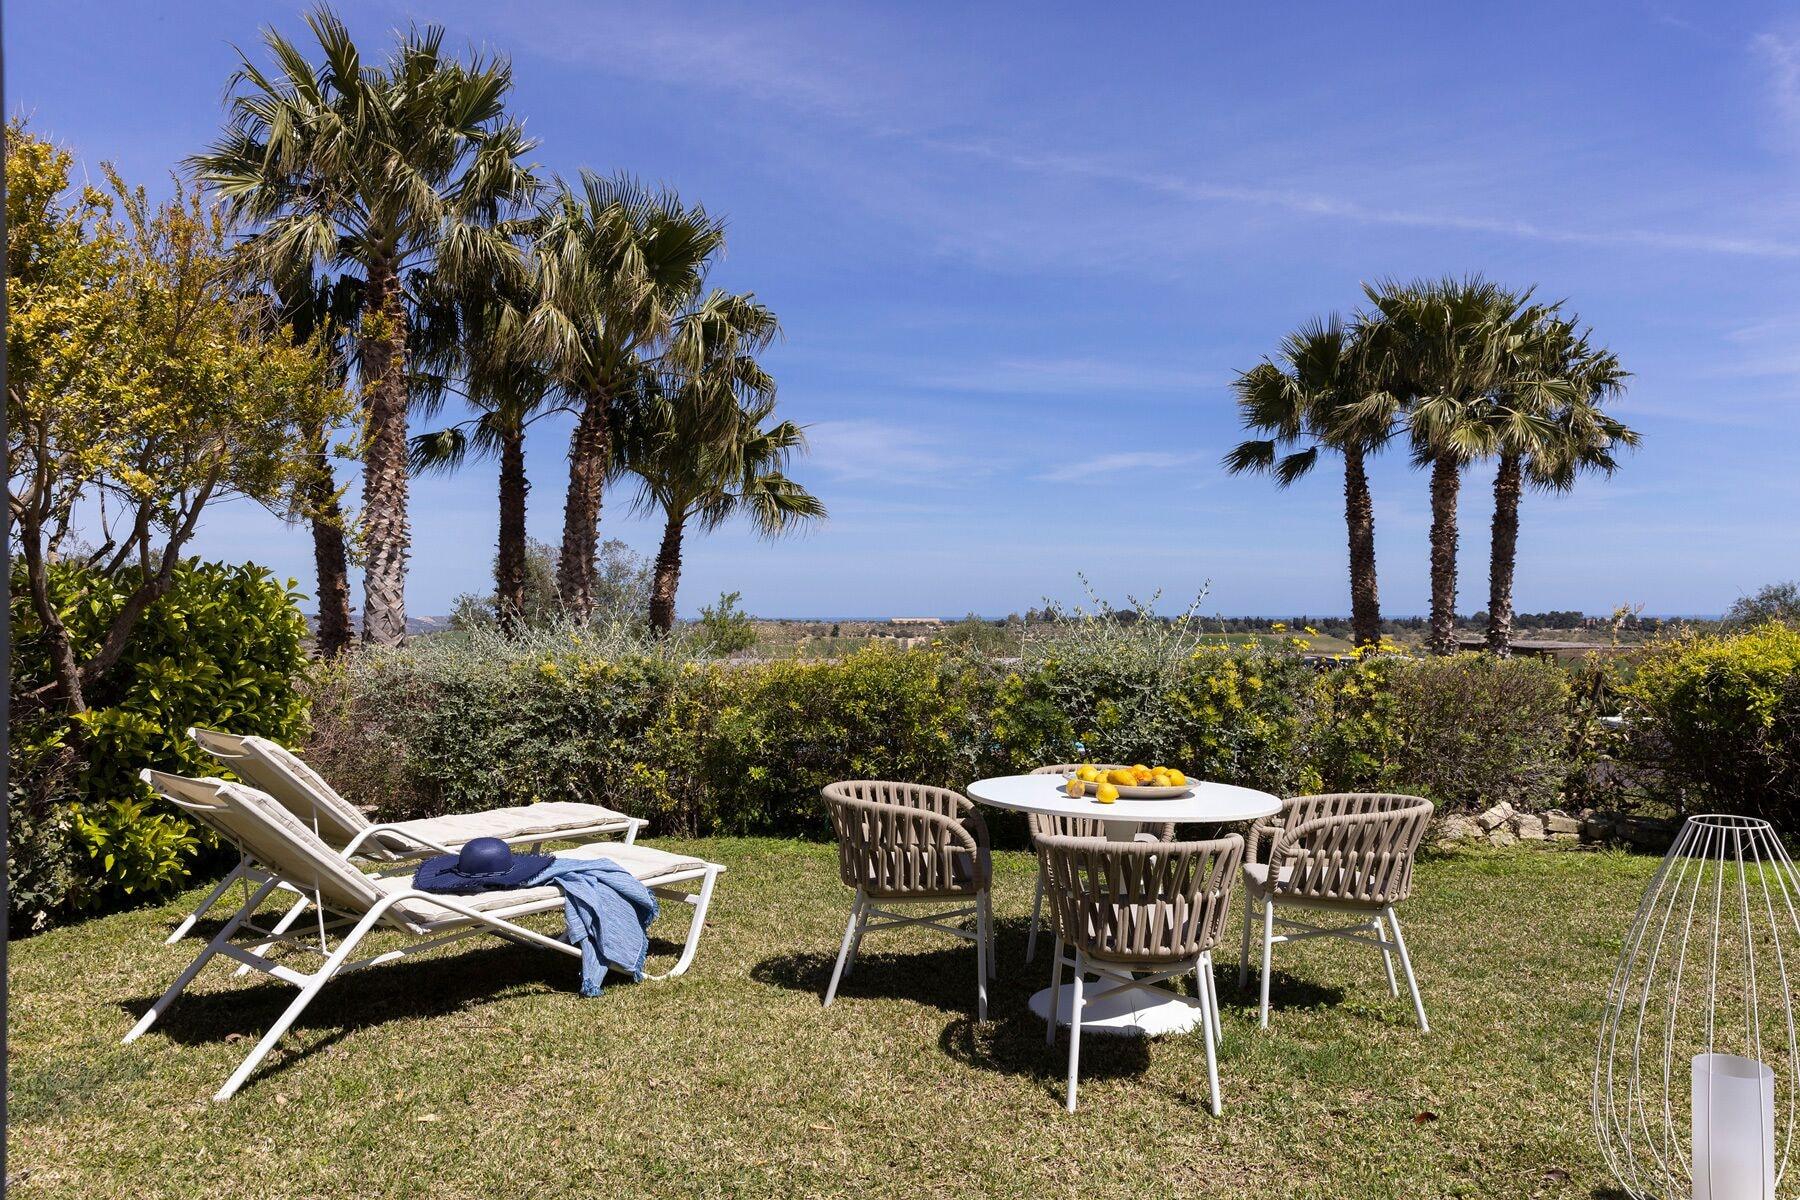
224 647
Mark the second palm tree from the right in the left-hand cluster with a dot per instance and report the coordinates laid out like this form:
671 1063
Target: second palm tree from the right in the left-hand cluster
616 265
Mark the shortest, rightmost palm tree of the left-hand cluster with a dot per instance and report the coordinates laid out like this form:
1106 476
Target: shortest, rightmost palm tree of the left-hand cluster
697 443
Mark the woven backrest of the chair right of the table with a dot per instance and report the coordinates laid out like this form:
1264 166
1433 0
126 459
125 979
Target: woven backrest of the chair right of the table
1354 846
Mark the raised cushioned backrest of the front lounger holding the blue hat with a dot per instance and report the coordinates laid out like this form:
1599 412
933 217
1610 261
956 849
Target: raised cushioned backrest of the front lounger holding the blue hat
271 837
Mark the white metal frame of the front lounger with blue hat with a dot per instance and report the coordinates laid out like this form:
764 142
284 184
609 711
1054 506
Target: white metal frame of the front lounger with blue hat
228 816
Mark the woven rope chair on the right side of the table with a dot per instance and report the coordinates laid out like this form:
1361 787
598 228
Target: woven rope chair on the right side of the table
1349 854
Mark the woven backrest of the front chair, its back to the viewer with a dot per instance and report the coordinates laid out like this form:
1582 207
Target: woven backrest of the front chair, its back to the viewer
1140 902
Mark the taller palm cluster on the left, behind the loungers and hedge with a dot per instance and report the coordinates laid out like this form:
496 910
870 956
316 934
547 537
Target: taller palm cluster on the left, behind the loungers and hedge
395 213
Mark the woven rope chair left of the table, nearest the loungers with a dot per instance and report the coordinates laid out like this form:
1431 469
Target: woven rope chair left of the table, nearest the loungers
906 845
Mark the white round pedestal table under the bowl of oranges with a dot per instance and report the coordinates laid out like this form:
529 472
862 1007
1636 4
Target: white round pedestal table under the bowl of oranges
1113 1010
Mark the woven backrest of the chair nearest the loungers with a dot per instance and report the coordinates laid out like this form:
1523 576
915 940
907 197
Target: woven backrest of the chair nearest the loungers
903 839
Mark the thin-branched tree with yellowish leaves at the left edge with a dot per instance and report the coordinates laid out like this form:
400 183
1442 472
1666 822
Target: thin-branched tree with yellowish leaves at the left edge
143 386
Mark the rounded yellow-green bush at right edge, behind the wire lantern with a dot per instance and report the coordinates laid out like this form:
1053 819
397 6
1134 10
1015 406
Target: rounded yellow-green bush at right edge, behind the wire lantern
1718 719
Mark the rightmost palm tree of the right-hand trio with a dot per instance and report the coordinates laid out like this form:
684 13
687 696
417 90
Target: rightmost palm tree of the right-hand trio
1551 429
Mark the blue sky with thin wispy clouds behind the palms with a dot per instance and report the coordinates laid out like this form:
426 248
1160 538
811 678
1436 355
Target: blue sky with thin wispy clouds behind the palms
1021 251
